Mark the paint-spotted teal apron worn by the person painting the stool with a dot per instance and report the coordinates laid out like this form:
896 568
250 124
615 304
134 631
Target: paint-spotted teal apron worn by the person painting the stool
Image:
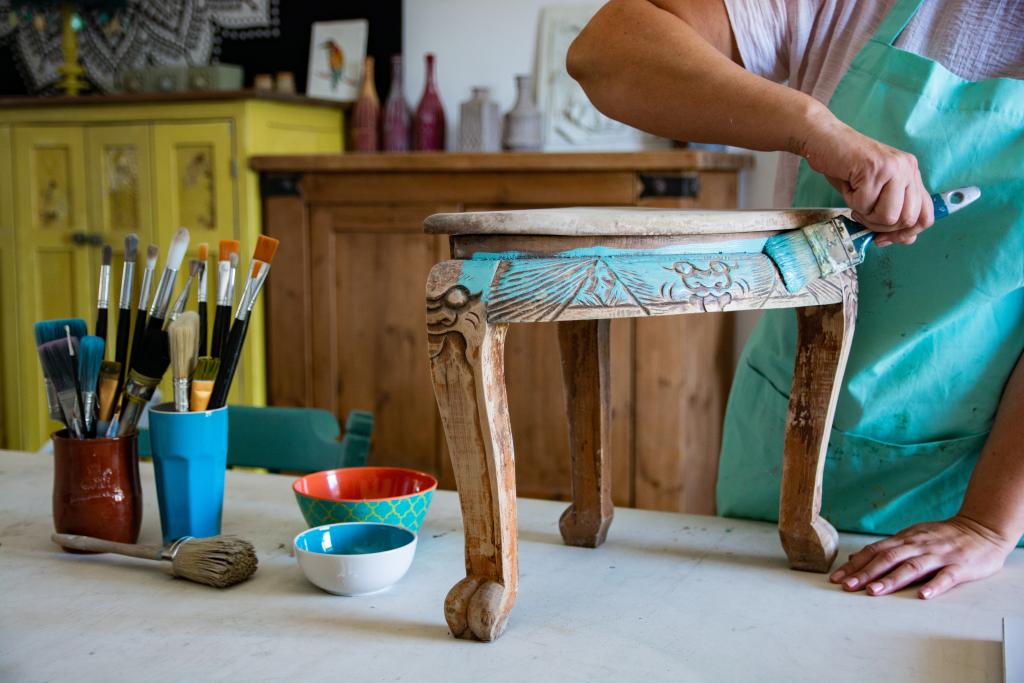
941 325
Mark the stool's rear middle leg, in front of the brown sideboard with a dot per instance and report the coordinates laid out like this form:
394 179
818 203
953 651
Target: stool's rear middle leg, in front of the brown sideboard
584 347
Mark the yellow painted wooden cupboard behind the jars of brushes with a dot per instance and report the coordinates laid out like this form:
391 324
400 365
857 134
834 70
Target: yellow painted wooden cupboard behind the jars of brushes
78 174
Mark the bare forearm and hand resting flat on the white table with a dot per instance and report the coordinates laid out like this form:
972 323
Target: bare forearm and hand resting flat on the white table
975 543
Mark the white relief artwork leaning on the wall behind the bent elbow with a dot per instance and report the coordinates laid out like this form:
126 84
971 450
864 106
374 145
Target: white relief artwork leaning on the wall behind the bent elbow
571 122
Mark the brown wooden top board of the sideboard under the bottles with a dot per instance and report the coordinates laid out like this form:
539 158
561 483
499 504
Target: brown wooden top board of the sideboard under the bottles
681 160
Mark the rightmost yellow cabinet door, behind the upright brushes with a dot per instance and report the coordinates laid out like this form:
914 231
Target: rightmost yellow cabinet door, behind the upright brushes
194 175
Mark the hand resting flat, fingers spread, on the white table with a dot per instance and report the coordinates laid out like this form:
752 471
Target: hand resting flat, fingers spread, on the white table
955 551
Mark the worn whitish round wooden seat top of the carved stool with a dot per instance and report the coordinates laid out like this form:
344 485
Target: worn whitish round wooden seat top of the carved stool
623 221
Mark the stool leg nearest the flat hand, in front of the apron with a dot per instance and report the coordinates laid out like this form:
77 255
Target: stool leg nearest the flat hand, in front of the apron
823 347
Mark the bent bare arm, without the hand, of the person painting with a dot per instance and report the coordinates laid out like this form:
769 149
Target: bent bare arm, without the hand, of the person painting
652 69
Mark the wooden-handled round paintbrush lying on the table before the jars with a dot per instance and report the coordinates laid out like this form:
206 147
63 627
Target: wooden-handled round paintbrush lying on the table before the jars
219 561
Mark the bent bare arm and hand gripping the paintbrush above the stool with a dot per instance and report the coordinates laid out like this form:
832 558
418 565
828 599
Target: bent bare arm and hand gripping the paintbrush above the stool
671 68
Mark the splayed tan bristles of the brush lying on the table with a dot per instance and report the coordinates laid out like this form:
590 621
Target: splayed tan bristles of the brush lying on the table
220 561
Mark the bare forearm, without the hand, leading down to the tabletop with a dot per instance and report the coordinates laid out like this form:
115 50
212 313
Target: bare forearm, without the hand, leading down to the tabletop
996 495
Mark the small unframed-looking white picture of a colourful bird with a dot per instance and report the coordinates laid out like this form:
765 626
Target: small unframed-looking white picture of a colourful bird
336 54
